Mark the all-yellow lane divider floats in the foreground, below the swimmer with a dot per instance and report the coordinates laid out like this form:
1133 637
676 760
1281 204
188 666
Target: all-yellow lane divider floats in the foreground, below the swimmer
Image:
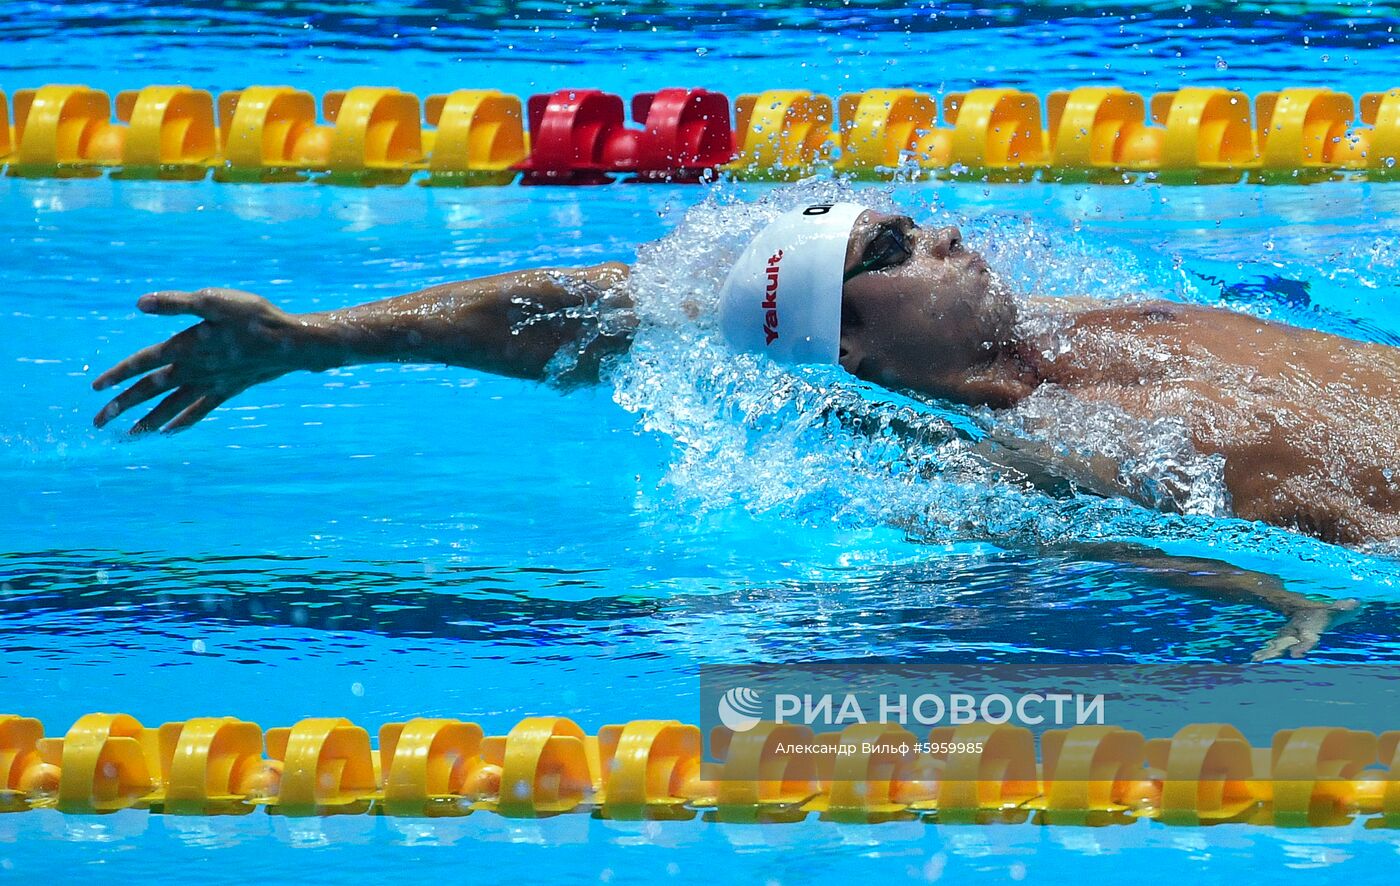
650 769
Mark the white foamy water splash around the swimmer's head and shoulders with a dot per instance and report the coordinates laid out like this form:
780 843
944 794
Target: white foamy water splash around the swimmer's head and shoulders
820 447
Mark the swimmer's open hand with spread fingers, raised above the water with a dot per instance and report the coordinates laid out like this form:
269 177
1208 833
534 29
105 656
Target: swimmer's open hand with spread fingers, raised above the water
243 341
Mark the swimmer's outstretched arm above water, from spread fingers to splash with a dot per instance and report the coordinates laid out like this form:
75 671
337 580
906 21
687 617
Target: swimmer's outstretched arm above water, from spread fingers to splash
510 324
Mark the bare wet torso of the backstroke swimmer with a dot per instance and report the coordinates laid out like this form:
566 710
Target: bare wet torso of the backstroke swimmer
1308 423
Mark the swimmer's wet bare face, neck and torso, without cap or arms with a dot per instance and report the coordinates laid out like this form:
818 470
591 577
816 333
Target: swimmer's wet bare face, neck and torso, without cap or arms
1308 423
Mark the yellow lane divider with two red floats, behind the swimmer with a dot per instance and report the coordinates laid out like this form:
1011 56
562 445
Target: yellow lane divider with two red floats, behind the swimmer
383 135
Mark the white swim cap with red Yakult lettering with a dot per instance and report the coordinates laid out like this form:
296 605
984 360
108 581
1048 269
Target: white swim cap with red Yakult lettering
783 297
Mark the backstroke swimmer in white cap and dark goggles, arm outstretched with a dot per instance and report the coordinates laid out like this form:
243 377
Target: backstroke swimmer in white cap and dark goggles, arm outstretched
1308 423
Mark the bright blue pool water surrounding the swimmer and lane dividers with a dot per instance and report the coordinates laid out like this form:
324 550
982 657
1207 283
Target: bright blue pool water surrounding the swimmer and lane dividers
388 542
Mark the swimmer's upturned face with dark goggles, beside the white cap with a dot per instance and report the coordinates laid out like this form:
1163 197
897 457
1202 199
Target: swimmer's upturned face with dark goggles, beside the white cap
918 302
